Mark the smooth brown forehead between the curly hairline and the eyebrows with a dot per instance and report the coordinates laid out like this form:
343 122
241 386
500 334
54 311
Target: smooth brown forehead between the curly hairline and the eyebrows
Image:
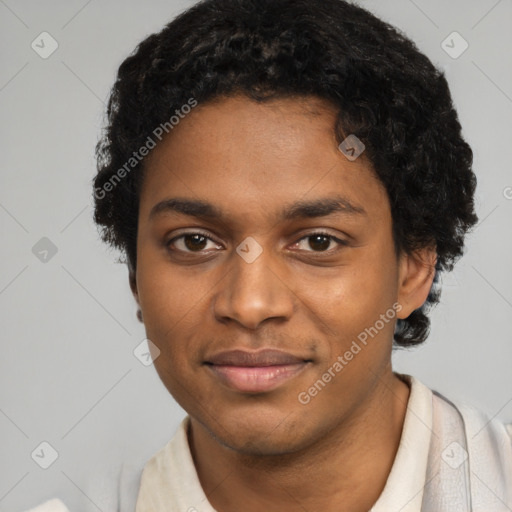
250 158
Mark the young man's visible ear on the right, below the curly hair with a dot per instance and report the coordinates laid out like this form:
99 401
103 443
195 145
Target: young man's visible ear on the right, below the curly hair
416 275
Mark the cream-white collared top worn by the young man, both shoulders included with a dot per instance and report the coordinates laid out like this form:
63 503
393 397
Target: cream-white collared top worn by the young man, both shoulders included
425 477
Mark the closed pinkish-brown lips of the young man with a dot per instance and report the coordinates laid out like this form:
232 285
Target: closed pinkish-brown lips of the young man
255 372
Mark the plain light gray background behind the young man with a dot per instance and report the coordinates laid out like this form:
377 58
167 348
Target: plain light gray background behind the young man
68 373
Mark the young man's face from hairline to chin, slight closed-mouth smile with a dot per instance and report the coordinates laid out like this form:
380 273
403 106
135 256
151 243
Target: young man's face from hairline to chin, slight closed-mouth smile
264 254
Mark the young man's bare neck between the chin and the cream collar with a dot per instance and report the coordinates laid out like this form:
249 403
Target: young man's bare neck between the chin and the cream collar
348 467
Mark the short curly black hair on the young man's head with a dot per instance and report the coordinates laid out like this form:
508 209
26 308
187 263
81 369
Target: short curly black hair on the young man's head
384 91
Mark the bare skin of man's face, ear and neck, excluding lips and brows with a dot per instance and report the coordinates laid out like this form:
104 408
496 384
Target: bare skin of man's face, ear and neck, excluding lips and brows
268 451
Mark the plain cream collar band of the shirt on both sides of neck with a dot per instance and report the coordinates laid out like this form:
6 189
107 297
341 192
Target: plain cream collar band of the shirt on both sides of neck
170 481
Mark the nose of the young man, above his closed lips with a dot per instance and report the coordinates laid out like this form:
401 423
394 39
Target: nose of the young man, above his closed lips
253 293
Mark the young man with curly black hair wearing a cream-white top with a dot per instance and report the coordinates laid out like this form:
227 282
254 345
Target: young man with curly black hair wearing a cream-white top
287 180
